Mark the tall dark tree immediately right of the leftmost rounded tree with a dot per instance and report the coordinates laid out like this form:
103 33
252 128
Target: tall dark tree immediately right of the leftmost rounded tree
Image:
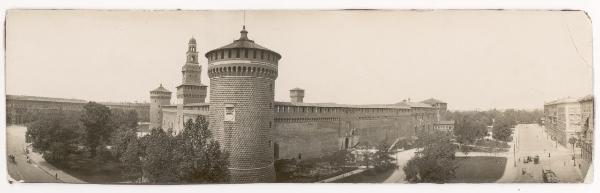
96 121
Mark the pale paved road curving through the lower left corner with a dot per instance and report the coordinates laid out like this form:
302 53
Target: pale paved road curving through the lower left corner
36 171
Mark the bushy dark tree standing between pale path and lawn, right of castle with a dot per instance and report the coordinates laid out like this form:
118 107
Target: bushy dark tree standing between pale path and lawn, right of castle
435 162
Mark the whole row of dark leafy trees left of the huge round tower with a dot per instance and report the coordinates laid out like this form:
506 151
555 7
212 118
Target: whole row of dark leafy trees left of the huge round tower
192 156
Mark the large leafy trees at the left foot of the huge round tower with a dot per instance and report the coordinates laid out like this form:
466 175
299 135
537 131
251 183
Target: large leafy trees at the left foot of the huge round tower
192 156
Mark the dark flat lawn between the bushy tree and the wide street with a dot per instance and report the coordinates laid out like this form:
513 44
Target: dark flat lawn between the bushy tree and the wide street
479 169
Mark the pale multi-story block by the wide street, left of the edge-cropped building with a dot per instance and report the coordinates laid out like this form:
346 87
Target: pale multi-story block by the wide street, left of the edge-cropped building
562 119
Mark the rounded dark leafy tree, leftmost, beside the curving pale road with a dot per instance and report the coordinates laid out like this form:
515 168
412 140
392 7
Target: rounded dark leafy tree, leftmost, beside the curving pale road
55 135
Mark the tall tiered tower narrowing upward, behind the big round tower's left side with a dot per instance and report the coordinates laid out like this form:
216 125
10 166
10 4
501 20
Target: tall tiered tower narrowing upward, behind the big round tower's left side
191 89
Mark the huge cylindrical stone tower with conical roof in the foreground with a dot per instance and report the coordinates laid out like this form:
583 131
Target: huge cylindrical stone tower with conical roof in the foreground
242 81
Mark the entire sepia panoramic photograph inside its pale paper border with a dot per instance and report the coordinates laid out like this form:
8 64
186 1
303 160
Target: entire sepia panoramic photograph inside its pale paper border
298 96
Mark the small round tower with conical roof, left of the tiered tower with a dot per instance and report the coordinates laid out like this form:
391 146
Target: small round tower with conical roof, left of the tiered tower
158 97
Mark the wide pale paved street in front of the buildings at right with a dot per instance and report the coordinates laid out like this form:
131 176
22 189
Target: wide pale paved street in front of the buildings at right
531 140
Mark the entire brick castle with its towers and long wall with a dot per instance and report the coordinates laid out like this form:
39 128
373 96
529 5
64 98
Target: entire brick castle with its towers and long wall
256 130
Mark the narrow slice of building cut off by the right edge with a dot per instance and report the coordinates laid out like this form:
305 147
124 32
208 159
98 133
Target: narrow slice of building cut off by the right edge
587 133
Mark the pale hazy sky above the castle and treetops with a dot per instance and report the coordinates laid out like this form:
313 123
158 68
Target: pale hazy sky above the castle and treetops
470 59
